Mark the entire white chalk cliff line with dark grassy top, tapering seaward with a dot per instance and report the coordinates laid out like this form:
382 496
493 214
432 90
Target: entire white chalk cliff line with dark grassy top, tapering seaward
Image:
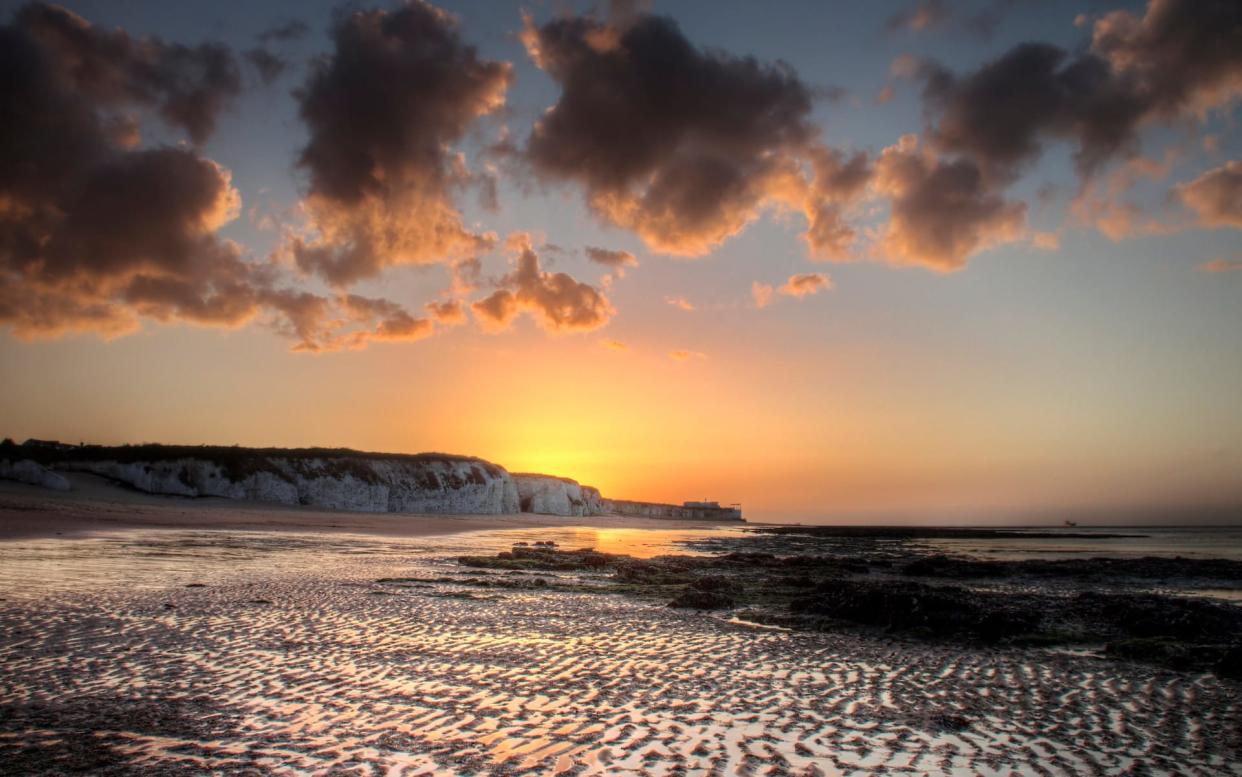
336 480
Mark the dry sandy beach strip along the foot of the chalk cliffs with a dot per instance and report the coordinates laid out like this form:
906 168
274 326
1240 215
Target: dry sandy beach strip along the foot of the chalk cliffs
32 513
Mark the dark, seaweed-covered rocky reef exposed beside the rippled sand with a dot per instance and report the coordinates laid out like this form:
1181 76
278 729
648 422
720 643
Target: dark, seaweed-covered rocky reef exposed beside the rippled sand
875 595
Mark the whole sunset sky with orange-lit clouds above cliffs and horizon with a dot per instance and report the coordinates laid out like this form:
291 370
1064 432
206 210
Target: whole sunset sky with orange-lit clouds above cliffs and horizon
952 261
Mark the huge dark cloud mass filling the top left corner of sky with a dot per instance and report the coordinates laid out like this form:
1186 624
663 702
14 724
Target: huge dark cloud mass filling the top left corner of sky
95 233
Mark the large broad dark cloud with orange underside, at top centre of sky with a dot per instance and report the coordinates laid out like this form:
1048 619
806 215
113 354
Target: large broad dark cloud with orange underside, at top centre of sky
682 146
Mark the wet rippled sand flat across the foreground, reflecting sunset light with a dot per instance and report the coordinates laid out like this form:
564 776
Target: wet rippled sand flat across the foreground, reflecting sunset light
296 662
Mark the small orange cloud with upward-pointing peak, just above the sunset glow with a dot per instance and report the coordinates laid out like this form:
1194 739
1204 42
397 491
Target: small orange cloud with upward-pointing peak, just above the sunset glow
558 302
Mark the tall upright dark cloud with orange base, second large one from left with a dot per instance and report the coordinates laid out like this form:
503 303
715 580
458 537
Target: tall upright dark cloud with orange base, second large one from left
399 89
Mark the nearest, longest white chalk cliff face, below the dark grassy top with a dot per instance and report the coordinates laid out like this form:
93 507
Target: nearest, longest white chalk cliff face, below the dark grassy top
341 483
